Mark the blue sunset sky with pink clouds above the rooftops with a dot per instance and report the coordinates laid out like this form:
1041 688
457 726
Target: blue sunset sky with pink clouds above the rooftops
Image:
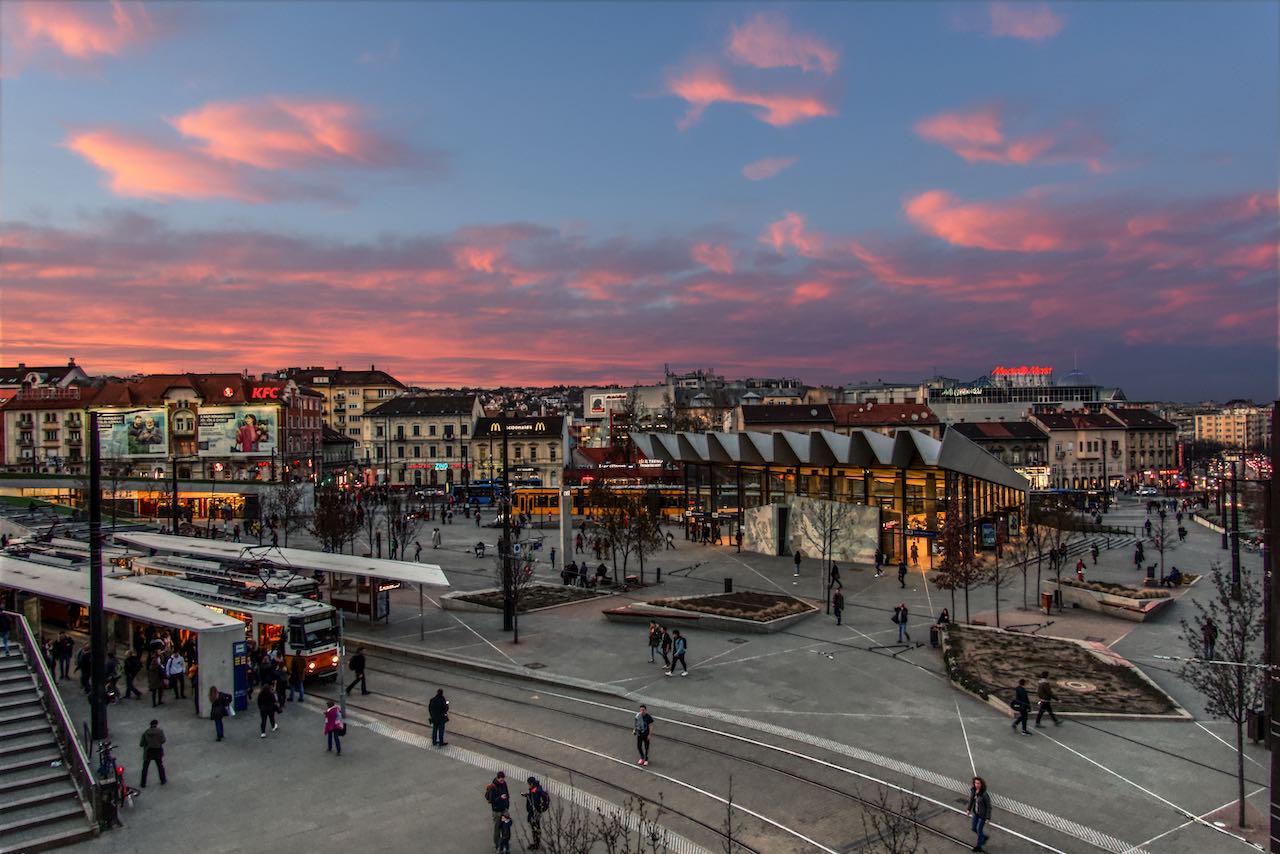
534 193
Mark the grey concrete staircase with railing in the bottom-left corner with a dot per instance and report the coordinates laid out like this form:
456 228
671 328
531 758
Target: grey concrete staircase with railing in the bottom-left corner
42 806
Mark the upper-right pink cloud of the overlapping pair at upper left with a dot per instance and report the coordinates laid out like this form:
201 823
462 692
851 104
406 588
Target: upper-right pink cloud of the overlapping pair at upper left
281 133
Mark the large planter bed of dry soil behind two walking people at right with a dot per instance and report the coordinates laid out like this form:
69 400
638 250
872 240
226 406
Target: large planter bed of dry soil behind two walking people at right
1089 679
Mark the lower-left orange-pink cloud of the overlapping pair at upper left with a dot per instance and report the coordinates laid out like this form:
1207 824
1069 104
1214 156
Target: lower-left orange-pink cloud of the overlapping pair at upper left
141 168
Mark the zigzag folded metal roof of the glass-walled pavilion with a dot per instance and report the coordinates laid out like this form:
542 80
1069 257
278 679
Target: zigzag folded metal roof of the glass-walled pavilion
862 449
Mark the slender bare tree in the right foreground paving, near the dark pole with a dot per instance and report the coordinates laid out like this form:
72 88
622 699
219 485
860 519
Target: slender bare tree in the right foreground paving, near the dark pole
1229 674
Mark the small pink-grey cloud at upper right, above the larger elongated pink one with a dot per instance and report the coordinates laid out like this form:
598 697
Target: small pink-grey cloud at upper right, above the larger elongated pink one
977 135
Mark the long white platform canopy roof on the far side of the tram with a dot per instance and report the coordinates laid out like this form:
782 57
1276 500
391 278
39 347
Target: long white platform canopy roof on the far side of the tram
299 560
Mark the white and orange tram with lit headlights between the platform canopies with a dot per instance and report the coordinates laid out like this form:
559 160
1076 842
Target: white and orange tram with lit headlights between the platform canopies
308 629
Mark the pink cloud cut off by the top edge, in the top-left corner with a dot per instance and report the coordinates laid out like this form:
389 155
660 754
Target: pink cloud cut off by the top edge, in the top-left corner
83 30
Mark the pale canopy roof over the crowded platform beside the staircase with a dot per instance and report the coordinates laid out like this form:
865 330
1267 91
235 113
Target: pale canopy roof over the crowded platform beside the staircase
125 599
